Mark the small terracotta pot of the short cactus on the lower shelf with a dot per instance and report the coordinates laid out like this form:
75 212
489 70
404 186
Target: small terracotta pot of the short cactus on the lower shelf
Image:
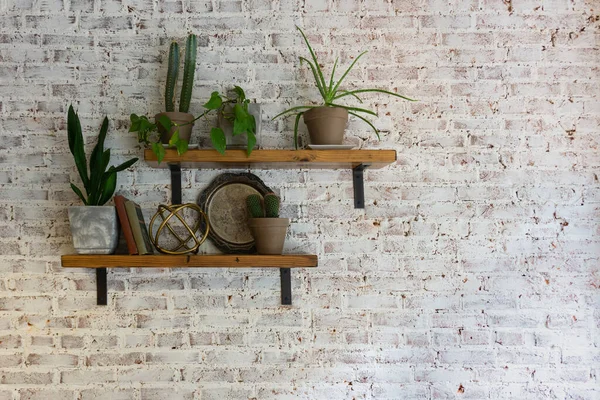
269 234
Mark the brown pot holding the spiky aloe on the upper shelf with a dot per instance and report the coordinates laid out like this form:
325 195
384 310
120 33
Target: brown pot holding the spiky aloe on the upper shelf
326 125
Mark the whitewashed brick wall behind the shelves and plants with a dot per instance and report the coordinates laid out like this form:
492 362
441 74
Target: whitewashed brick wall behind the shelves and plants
472 273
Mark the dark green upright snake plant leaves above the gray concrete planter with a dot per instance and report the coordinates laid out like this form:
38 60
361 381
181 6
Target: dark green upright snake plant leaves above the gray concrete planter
101 182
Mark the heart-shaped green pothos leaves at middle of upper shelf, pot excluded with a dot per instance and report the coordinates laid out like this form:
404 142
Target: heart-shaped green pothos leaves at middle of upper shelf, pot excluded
235 110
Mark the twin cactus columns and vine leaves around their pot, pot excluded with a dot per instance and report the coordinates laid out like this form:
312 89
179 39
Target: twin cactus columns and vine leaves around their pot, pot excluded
146 130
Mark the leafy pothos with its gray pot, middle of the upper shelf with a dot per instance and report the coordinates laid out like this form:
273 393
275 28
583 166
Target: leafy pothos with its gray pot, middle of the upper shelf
236 117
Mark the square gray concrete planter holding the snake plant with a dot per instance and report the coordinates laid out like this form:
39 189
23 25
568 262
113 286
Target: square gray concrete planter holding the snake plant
95 229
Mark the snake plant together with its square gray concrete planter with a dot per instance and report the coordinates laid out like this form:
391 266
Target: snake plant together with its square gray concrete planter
94 226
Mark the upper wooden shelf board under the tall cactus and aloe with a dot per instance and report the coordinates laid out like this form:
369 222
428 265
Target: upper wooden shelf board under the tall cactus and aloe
271 159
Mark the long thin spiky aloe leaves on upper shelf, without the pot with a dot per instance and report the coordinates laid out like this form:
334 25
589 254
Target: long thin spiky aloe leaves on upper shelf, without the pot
330 91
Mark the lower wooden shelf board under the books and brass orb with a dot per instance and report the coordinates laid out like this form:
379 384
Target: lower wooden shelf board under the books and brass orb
190 261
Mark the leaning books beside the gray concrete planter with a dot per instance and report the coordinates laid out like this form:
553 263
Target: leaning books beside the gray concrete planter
133 226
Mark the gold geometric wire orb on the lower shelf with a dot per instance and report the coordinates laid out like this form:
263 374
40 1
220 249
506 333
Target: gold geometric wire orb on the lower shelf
174 213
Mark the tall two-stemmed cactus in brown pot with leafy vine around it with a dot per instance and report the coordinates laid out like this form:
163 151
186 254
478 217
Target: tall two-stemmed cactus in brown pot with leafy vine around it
173 127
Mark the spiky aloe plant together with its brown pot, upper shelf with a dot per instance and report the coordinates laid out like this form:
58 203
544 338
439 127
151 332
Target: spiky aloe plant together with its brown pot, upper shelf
327 122
